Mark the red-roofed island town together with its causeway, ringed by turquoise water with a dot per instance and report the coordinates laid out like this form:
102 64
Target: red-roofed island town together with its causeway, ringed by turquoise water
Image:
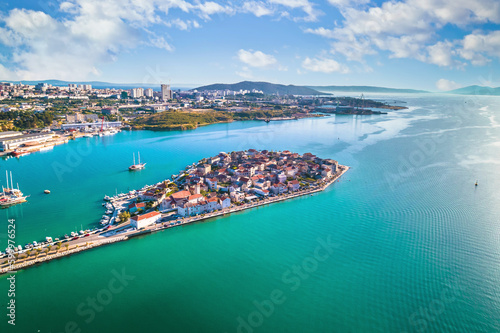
214 186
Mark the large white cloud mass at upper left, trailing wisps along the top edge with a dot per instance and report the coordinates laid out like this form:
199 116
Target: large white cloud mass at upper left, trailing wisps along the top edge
89 34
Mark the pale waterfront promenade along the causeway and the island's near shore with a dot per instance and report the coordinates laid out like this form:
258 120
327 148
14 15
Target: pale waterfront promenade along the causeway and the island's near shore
116 234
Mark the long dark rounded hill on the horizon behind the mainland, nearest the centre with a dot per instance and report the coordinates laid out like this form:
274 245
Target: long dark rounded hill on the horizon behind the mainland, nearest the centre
266 87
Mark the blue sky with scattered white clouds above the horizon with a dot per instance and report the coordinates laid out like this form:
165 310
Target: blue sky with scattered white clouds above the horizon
420 44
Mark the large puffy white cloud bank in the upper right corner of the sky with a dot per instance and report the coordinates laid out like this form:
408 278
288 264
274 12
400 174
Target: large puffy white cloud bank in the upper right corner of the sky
410 29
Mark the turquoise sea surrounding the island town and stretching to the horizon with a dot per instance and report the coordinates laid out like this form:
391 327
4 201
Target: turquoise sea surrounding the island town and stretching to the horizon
403 243
